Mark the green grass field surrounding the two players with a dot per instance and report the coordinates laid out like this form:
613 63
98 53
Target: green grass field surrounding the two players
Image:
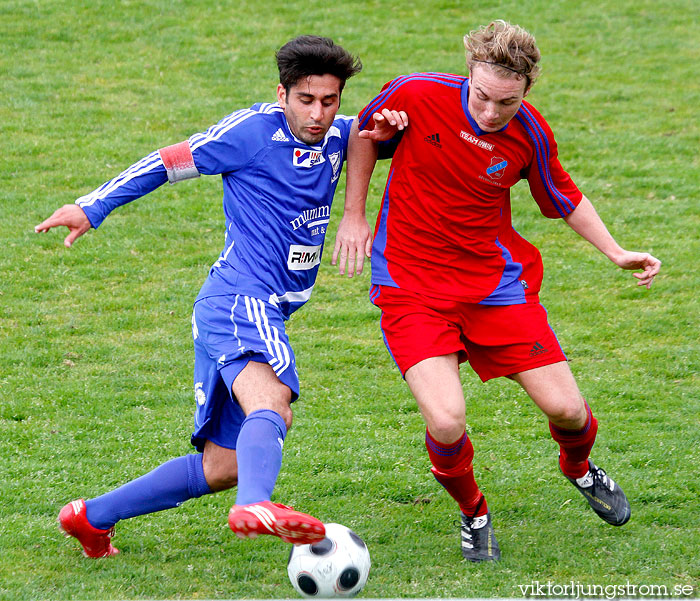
95 347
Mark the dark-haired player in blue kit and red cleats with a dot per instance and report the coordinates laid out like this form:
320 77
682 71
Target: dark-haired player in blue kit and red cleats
280 165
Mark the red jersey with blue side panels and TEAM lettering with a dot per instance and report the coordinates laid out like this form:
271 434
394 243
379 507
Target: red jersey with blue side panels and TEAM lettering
444 228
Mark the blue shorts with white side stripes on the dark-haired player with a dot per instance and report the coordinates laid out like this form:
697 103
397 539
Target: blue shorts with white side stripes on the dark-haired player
228 332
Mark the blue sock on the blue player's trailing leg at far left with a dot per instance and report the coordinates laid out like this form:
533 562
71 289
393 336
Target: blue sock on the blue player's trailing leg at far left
165 487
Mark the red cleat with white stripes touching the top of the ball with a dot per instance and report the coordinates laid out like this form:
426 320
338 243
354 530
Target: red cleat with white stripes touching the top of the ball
266 517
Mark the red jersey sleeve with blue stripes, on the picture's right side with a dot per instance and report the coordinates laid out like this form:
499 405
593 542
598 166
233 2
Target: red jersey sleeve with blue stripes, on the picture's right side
551 186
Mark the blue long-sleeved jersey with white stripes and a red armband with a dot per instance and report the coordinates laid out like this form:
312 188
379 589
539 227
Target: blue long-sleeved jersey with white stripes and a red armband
277 199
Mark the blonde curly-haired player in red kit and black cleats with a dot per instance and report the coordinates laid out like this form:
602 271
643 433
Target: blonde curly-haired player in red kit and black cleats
455 282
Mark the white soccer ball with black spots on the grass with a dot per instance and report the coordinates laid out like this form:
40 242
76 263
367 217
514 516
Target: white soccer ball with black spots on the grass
338 566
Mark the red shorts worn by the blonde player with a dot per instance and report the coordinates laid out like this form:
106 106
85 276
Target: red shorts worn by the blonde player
497 340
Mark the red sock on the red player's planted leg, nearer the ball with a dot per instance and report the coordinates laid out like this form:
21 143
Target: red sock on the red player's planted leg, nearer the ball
452 467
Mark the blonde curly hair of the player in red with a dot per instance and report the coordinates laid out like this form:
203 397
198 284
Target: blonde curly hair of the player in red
508 48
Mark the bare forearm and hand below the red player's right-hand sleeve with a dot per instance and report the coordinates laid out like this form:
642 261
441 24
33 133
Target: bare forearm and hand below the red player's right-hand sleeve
585 221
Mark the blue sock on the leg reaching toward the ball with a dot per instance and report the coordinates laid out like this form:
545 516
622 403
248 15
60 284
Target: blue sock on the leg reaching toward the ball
259 455
